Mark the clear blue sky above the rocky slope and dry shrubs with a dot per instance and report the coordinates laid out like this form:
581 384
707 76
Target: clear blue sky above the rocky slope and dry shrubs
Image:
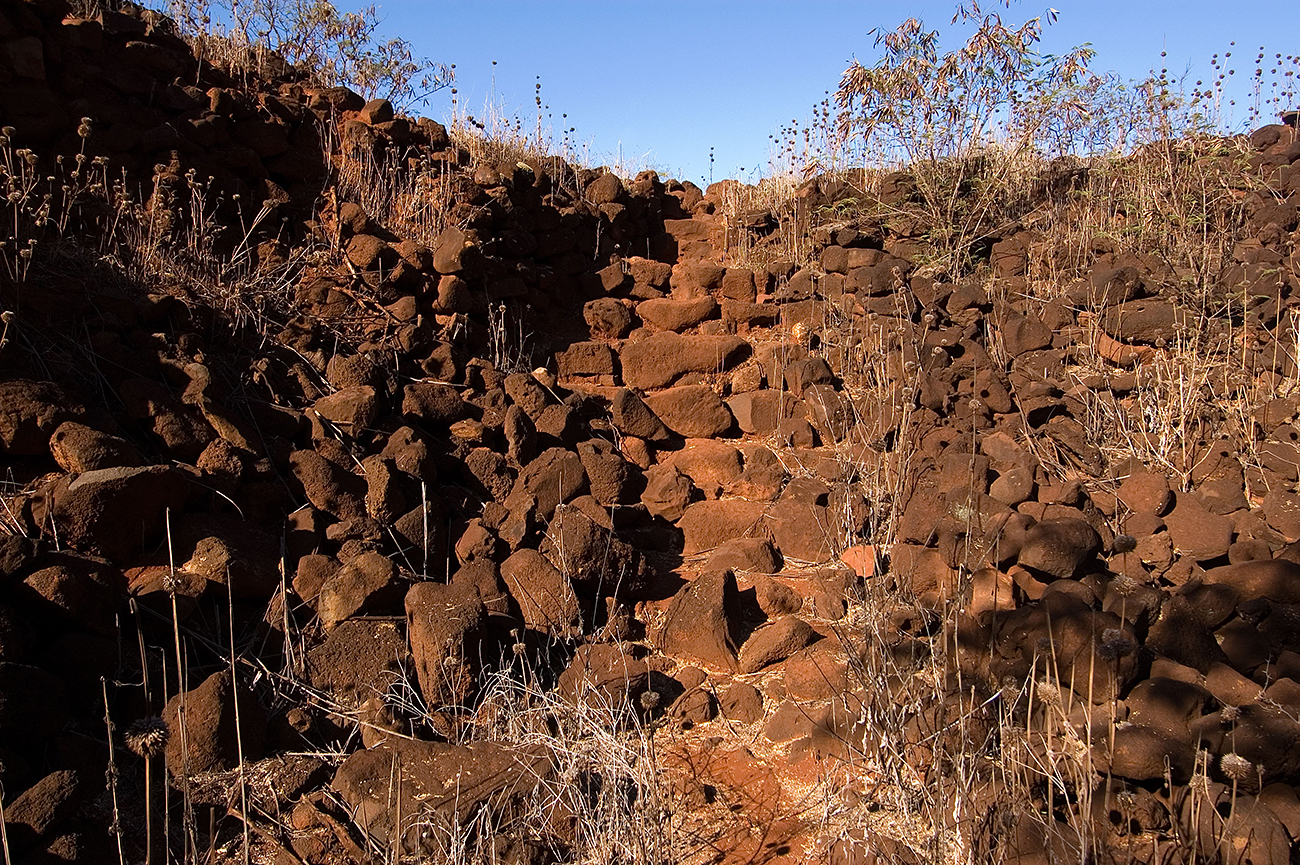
660 84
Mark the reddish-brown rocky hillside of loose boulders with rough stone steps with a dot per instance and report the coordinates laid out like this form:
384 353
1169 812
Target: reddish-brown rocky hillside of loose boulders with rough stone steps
367 499
